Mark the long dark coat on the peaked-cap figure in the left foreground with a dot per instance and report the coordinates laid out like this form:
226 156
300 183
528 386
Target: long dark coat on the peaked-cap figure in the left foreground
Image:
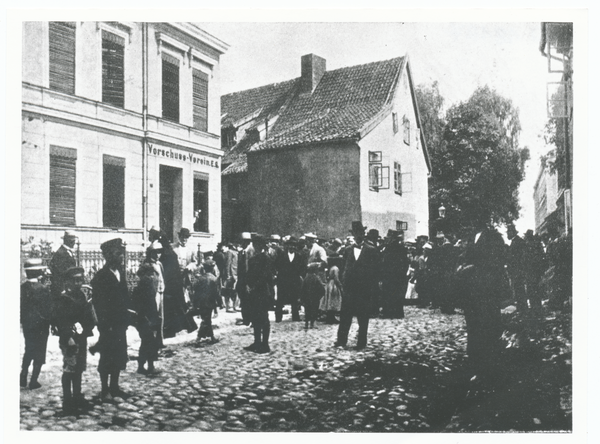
111 301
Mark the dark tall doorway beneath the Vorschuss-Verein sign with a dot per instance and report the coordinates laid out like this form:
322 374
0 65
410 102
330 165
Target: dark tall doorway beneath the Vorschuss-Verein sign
170 185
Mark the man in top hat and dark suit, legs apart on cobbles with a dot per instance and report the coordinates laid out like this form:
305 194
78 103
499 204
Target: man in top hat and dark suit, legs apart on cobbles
360 282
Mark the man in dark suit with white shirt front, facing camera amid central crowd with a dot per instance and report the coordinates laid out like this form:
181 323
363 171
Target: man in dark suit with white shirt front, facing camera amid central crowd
290 268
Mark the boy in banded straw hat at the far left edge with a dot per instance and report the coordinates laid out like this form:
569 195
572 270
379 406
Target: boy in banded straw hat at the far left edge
35 320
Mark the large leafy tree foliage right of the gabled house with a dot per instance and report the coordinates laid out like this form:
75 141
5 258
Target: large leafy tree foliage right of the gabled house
477 163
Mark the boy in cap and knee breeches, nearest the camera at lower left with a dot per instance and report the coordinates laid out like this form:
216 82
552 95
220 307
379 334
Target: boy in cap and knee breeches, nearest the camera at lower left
74 319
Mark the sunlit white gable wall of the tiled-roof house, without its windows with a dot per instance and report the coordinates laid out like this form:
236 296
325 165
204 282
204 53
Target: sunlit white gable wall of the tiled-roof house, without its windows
381 208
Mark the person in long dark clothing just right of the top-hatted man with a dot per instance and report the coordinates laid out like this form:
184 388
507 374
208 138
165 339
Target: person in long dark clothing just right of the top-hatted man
394 278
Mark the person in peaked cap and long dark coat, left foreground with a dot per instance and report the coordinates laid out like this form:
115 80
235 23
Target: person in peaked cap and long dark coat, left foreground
111 303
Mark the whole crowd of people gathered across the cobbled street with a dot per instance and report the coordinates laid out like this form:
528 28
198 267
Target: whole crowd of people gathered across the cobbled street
362 277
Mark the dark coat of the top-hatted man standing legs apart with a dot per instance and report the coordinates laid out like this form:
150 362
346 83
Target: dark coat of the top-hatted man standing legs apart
360 279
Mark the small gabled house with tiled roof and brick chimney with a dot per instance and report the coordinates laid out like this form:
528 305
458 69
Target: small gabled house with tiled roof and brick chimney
320 151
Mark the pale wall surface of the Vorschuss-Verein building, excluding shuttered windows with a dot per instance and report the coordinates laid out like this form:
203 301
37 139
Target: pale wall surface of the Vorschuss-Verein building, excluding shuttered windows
146 144
